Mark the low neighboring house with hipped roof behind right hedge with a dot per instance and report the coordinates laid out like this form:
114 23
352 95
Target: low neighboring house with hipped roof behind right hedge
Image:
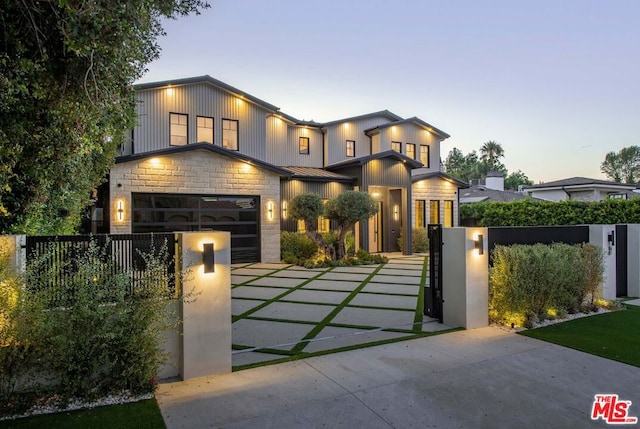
579 188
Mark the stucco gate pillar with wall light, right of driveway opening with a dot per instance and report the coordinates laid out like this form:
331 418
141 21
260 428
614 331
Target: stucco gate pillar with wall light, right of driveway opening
465 277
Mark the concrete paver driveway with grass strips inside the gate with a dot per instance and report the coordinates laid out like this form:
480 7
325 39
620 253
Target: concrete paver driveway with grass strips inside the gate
282 310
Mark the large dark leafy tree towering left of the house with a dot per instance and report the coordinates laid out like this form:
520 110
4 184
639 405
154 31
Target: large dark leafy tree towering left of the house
66 100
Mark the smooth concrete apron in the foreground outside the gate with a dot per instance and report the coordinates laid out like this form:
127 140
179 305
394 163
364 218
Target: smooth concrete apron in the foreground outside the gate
479 378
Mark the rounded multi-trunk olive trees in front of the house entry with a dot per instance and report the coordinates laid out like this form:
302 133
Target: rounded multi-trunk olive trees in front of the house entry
344 211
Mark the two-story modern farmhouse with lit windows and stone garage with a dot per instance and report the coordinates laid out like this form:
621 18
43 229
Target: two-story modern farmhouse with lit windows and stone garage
206 155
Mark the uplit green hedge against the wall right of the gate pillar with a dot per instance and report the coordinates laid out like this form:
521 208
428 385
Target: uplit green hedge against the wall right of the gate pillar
535 282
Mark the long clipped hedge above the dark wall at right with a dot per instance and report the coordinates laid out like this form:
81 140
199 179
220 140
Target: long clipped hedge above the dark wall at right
529 212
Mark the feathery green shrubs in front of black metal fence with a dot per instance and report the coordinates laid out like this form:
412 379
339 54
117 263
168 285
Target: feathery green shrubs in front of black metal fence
107 336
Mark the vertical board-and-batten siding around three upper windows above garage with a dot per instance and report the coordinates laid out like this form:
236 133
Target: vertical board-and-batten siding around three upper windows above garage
202 99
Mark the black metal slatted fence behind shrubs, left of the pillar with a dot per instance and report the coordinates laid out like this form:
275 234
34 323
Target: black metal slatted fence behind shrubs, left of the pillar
59 257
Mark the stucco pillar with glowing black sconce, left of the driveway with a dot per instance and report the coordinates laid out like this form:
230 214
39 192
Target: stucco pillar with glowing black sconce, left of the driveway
206 328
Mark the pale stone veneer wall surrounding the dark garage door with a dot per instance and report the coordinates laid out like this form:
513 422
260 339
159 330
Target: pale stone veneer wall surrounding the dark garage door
198 172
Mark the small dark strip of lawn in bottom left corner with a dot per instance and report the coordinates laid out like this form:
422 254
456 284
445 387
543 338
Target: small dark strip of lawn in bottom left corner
139 415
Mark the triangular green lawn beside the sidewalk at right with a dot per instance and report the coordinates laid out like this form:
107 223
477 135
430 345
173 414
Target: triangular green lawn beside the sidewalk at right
612 335
